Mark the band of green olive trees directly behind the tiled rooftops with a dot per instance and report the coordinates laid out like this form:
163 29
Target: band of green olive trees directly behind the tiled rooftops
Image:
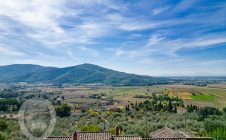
135 125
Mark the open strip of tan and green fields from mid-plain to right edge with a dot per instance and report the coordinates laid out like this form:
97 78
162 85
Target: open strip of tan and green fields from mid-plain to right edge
212 95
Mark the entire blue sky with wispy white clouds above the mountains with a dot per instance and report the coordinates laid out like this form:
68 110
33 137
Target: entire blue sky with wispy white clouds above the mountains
148 37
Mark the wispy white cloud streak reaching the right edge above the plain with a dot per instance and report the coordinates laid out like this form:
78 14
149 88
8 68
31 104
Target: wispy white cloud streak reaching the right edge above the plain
158 45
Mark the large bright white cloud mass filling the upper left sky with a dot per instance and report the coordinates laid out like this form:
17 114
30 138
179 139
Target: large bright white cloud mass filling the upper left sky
44 19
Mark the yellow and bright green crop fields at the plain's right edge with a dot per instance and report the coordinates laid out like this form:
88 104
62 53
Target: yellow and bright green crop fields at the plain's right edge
200 96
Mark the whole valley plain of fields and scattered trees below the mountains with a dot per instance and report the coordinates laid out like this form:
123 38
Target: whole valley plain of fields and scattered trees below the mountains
91 105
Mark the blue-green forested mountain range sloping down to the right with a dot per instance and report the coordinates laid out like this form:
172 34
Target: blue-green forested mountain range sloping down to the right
80 74
